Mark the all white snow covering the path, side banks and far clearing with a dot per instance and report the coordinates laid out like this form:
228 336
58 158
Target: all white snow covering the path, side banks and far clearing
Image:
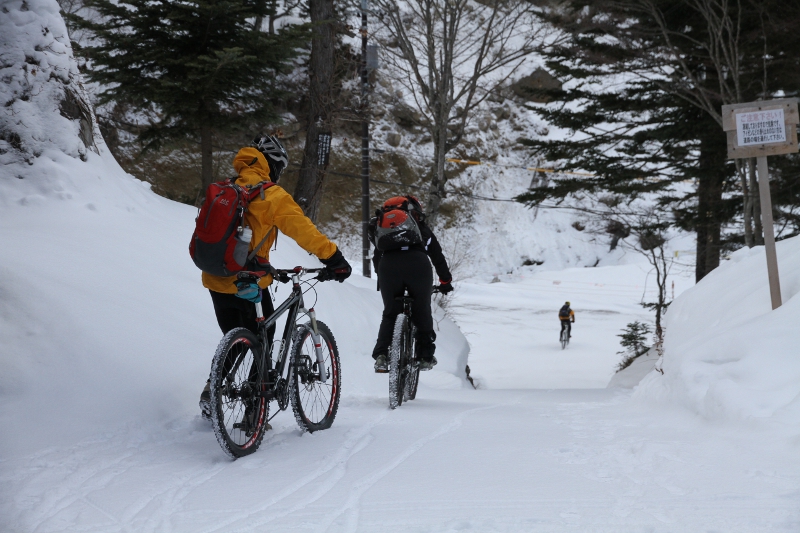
107 338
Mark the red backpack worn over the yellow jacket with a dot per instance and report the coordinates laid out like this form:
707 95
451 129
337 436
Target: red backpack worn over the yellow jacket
217 245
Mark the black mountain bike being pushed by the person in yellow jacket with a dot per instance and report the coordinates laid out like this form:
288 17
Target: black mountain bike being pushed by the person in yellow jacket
245 378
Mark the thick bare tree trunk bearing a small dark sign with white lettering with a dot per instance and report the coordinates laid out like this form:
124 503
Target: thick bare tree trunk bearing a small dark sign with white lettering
308 193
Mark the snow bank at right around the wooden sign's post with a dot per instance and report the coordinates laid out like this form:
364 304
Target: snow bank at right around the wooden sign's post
727 354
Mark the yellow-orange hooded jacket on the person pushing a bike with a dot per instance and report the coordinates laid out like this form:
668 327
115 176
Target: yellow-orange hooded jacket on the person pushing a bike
277 209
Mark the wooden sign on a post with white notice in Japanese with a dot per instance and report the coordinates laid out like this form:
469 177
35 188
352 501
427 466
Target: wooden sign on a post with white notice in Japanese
760 129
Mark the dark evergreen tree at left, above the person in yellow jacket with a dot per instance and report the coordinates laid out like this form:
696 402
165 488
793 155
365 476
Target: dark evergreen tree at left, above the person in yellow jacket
189 69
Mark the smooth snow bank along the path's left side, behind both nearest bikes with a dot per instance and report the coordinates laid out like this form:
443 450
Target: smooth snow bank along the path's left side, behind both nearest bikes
103 317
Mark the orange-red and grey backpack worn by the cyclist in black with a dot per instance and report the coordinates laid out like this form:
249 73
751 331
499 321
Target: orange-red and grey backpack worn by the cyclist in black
398 223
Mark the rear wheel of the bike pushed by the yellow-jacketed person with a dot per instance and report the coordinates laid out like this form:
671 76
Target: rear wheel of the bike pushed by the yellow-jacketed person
239 411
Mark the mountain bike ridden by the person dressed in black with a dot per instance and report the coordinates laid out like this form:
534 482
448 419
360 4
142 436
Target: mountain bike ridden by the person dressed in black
403 363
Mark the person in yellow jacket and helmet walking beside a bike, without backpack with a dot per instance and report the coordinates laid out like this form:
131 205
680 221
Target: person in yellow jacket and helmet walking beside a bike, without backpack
234 305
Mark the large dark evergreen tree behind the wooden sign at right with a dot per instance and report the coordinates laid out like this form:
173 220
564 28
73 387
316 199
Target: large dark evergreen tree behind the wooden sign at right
646 108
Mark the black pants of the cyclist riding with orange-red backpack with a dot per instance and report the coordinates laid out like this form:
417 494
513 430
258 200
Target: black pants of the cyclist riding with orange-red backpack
398 270
